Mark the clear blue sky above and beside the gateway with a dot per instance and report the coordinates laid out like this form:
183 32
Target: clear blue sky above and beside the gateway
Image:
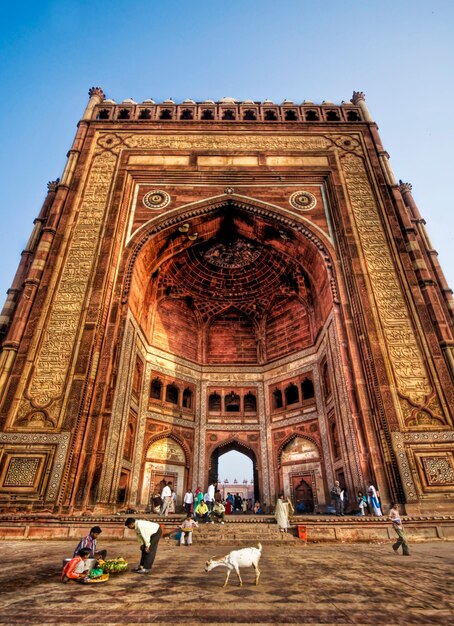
400 53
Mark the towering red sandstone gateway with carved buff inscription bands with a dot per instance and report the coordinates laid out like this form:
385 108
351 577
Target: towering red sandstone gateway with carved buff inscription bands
216 276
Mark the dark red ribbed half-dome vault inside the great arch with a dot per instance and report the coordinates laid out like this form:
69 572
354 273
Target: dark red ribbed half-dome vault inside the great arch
238 295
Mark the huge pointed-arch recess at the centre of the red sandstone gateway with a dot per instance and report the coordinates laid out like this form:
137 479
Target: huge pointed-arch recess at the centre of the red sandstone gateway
231 312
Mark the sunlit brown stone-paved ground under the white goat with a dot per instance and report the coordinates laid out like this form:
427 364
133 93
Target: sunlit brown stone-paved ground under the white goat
316 584
